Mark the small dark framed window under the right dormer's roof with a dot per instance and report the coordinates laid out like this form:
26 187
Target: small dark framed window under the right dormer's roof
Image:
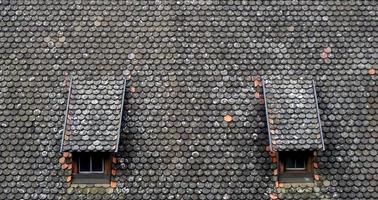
296 167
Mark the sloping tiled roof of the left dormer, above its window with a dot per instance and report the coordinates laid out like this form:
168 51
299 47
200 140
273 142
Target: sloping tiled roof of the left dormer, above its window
94 113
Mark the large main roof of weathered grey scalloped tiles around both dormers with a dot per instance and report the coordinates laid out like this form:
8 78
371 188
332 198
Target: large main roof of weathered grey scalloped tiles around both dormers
188 64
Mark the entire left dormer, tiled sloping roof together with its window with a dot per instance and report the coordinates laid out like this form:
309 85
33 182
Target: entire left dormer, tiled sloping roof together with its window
92 128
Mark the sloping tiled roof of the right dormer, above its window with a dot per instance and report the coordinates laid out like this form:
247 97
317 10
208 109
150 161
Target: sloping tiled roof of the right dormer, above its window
292 113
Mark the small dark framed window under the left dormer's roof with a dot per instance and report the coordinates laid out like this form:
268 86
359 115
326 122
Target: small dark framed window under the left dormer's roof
91 168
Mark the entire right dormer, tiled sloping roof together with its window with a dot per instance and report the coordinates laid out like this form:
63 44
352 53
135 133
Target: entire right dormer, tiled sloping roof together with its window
294 126
